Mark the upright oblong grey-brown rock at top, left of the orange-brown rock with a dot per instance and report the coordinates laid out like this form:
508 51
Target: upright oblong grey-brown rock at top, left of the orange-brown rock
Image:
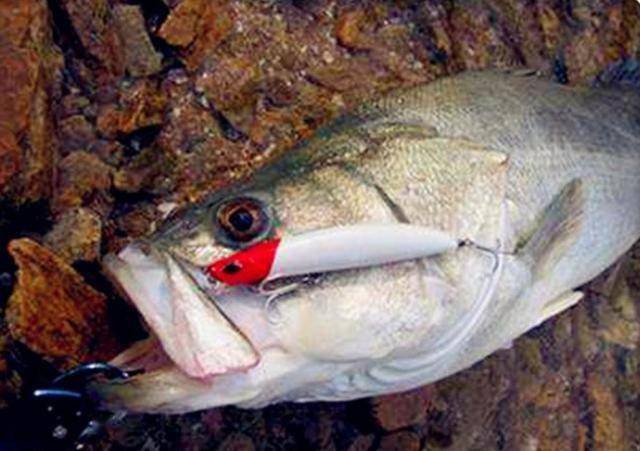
140 57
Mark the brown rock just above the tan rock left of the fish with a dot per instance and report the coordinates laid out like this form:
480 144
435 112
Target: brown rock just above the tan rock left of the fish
83 180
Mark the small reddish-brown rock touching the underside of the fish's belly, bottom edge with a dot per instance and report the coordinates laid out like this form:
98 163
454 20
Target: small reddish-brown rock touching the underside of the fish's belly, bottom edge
400 410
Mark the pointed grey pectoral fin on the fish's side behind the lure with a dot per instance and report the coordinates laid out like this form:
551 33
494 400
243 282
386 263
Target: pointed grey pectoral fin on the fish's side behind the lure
557 231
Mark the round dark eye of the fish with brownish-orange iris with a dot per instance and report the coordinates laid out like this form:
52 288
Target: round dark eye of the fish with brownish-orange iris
242 220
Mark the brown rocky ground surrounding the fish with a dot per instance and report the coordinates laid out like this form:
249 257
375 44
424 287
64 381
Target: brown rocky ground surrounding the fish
113 112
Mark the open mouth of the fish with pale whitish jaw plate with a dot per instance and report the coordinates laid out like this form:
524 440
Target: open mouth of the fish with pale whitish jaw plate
188 330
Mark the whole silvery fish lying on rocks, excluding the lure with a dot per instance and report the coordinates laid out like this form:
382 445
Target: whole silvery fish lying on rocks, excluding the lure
546 174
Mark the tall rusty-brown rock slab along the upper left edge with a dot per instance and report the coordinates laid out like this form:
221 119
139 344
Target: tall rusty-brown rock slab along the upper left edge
29 78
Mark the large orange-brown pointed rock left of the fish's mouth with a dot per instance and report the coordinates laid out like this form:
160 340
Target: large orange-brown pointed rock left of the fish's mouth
54 312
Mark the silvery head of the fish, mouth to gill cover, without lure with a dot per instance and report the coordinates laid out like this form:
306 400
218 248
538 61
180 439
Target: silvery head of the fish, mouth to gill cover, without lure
213 344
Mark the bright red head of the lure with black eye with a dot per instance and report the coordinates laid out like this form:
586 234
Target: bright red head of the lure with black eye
246 267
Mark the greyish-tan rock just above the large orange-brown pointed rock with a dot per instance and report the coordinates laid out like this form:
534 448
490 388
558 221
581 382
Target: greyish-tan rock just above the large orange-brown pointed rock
76 236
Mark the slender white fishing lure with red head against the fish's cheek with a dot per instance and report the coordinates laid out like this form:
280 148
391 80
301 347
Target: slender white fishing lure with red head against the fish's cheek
331 249
